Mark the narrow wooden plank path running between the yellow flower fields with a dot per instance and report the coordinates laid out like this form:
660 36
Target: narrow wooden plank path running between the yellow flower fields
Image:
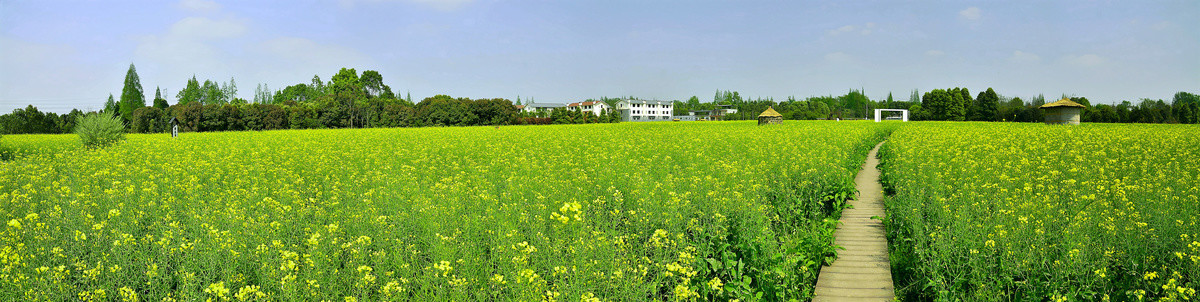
862 271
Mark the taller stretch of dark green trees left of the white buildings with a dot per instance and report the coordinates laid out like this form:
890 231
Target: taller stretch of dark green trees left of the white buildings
349 101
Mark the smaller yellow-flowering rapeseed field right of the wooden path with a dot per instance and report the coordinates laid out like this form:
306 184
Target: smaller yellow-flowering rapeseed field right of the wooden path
1035 213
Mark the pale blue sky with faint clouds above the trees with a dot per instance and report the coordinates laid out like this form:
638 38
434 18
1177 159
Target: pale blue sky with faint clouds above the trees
61 56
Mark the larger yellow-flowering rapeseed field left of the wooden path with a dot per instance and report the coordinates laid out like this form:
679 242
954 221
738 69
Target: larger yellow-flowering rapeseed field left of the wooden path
621 213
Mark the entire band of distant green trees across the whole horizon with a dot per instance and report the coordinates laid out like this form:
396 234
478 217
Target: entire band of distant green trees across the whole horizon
351 100
